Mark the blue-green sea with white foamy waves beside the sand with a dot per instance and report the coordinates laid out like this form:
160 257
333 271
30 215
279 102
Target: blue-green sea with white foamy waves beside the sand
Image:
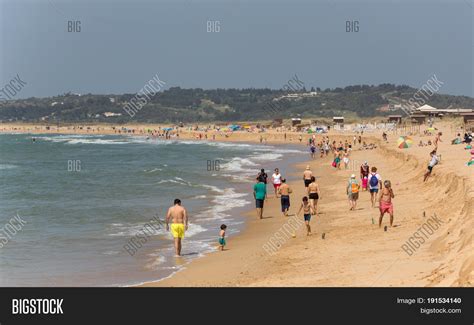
84 197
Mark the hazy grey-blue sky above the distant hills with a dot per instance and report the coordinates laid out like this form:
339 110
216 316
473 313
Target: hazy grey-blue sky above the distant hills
123 44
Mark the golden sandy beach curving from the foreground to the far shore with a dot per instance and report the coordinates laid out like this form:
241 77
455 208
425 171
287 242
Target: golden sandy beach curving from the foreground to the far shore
354 250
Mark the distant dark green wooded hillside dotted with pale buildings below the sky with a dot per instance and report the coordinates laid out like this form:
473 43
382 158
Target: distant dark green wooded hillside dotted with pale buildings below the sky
198 105
